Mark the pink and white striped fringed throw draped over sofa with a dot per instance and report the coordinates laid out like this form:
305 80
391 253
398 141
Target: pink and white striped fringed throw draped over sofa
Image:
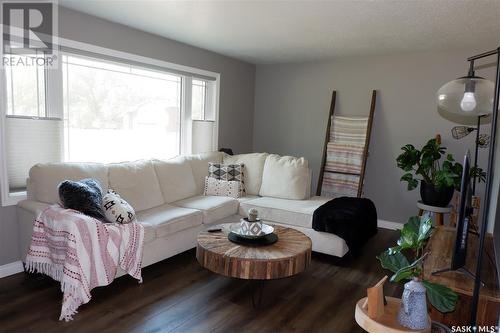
82 253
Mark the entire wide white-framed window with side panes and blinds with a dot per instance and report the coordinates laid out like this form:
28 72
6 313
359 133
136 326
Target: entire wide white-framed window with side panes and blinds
101 105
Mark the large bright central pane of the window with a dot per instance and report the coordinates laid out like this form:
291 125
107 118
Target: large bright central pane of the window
115 112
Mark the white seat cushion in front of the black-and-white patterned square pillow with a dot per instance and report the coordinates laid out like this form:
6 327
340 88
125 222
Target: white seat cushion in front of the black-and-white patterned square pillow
213 208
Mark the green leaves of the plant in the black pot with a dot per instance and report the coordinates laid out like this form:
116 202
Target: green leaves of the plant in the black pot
427 164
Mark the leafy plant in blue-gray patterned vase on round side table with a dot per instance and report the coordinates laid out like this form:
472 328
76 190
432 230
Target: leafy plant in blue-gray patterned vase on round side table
414 236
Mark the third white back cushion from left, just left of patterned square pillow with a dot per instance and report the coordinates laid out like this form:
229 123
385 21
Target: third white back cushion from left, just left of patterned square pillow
176 179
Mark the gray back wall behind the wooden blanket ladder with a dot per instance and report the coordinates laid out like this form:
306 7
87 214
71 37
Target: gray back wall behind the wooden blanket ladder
292 103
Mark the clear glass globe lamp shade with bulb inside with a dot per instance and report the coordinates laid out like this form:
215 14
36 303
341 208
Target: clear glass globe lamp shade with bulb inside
467 96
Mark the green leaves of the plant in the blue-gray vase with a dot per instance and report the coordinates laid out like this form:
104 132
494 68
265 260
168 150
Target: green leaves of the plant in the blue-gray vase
414 236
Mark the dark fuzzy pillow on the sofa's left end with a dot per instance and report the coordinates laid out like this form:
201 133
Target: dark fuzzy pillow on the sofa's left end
84 196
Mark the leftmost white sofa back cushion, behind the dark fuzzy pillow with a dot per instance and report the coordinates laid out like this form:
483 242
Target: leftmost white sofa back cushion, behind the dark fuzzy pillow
46 177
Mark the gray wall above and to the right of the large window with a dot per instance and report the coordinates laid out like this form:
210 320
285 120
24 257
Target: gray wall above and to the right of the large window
236 104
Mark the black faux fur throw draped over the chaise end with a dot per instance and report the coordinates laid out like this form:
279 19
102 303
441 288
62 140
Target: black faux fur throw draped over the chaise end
352 219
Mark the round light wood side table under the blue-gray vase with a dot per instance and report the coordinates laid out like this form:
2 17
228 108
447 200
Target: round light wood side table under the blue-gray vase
387 323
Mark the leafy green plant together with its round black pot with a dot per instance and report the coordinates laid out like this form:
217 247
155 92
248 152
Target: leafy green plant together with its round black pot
439 178
